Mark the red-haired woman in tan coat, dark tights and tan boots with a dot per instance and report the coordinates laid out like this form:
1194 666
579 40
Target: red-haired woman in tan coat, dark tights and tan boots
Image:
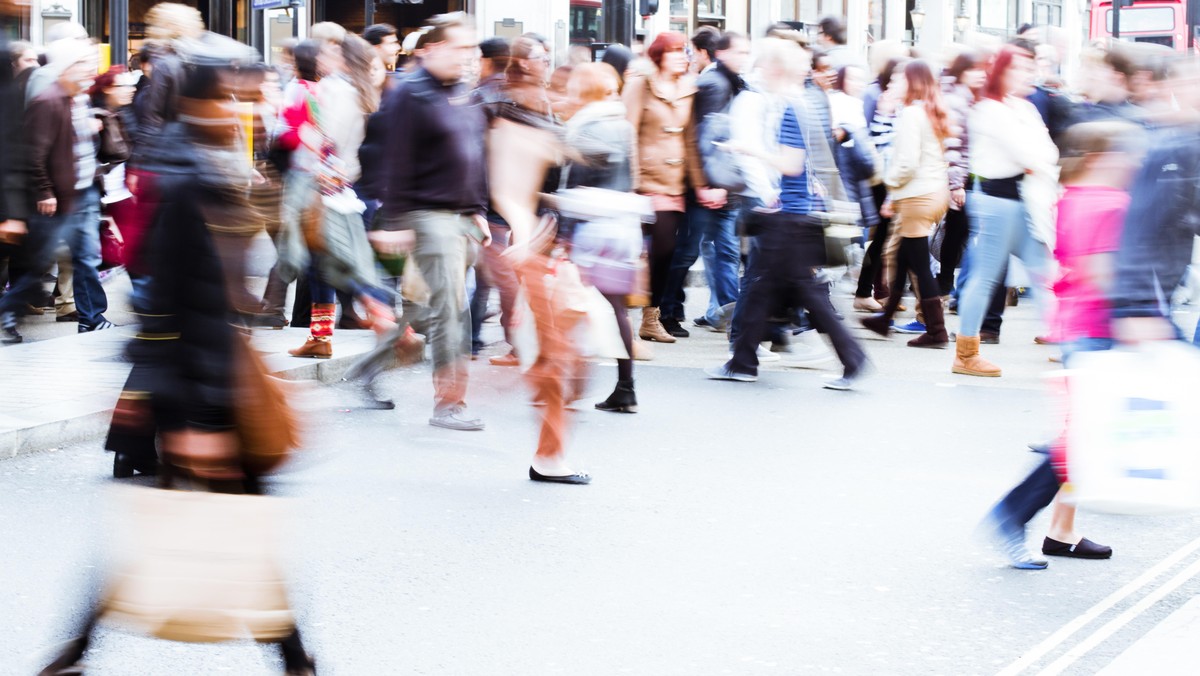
659 107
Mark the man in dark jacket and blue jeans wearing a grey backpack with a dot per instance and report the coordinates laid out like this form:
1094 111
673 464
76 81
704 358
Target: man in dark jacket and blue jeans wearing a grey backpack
711 230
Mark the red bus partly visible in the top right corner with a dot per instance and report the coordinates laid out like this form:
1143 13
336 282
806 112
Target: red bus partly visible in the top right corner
1171 23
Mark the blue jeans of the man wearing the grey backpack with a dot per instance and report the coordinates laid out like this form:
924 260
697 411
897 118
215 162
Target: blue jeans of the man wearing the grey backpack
711 234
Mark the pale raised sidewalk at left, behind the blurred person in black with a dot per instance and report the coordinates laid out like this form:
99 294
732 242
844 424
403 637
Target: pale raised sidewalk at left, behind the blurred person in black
63 391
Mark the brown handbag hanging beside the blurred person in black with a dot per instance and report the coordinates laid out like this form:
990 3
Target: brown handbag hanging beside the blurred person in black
267 426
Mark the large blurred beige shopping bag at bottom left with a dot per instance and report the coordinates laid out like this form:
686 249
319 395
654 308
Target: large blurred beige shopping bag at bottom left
197 567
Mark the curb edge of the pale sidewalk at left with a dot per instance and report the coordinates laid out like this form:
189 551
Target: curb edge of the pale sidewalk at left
92 416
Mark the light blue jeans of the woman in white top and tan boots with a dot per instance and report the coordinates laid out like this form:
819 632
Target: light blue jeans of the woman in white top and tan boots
1000 230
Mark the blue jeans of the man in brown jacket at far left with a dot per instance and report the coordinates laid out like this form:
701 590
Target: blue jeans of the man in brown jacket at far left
81 231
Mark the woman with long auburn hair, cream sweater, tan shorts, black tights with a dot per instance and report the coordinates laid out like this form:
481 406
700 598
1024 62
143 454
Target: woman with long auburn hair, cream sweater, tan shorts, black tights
920 196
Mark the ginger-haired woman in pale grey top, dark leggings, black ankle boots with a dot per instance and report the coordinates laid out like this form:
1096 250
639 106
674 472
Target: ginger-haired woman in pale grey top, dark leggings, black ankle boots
601 142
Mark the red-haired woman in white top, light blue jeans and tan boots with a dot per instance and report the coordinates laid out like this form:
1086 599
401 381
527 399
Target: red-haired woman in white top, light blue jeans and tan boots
1016 165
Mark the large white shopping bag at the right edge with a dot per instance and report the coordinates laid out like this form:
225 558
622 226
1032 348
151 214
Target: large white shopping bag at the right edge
1133 429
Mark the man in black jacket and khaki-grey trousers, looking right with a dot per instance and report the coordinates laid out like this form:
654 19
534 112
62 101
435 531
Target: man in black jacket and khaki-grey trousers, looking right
437 196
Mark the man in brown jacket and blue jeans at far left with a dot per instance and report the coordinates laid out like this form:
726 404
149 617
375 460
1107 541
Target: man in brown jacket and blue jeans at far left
61 136
